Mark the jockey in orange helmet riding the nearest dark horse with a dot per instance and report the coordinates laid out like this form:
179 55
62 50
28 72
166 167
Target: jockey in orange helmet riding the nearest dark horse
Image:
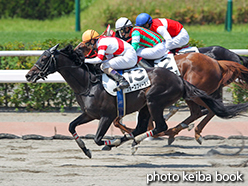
119 54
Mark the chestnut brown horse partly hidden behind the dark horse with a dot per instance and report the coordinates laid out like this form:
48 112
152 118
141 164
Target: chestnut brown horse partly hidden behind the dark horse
206 74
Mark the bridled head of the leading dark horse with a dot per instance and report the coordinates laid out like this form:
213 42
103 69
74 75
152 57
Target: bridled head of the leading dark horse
45 65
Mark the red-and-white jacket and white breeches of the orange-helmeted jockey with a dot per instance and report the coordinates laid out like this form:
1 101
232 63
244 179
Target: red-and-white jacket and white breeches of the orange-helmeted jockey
119 54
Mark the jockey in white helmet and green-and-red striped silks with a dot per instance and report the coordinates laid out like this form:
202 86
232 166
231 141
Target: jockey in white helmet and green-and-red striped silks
147 44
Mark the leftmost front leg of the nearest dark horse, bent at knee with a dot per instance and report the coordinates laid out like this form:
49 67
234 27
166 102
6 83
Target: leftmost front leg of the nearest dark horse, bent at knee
82 119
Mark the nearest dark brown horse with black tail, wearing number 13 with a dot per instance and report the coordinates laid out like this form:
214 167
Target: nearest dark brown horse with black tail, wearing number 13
96 103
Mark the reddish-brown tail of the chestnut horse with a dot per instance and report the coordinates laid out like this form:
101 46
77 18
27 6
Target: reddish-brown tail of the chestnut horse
232 71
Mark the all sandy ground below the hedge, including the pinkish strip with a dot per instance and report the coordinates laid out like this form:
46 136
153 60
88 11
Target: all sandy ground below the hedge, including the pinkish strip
61 162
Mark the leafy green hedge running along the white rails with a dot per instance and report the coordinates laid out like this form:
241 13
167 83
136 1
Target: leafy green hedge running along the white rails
51 96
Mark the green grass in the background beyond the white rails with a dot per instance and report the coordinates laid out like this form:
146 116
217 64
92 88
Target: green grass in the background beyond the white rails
24 30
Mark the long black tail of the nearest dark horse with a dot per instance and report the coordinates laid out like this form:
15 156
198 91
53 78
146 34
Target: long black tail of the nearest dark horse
215 105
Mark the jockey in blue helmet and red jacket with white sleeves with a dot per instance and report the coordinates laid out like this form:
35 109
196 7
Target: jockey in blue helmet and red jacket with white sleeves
172 31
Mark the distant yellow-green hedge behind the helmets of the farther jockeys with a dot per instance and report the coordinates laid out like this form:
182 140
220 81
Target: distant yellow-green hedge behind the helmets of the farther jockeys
189 15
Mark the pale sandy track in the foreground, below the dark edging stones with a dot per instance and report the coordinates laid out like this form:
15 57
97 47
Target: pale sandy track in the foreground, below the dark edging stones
61 162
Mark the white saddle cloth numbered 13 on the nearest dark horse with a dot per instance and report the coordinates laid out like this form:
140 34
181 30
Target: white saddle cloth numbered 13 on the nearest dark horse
137 78
